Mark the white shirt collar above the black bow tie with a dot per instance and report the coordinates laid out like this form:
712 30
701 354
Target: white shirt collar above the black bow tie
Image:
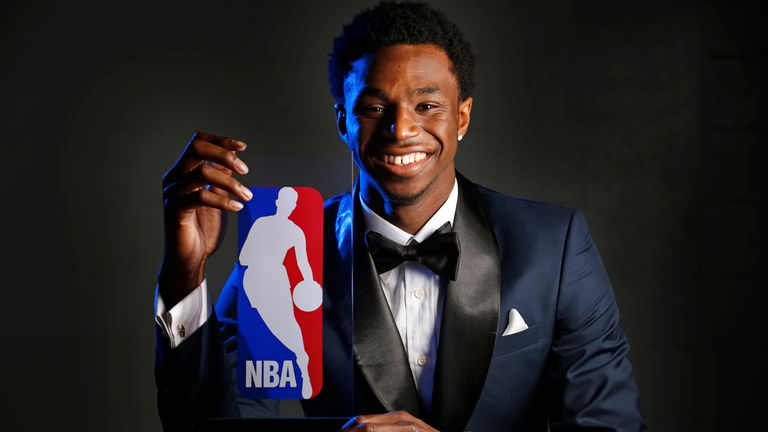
446 213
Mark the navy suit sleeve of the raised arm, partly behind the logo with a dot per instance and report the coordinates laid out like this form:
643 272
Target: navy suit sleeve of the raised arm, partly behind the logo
196 380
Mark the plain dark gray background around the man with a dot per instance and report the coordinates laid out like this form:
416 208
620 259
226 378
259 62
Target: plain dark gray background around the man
647 116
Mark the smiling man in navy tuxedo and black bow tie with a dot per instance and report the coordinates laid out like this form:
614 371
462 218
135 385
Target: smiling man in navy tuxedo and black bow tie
515 329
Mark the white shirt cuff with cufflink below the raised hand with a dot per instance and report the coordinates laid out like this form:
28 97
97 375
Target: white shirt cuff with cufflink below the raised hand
185 317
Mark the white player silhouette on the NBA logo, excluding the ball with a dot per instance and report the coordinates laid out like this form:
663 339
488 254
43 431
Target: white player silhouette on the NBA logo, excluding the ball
265 281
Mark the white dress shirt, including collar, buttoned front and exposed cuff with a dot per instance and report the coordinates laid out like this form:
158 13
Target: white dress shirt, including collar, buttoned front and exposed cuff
413 293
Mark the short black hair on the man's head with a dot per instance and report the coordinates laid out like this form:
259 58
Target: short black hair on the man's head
397 23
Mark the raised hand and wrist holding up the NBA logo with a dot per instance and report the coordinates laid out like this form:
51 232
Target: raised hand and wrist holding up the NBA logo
195 204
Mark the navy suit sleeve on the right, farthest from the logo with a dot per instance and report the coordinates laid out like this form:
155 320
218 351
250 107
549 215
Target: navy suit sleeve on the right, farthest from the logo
590 382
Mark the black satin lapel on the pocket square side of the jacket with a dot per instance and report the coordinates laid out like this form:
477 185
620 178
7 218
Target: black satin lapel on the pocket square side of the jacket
470 316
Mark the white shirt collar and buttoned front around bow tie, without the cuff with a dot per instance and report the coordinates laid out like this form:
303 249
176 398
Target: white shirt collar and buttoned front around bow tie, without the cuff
414 294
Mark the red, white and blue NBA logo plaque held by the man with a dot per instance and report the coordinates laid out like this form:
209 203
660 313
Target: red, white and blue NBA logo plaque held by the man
280 297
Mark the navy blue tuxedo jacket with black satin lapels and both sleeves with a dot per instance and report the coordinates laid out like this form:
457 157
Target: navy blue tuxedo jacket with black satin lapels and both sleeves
568 370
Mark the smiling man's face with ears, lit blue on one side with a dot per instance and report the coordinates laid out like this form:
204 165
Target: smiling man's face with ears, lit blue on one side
401 119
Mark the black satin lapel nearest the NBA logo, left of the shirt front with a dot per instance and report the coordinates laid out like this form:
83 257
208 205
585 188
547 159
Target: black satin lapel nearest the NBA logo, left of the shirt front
379 349
